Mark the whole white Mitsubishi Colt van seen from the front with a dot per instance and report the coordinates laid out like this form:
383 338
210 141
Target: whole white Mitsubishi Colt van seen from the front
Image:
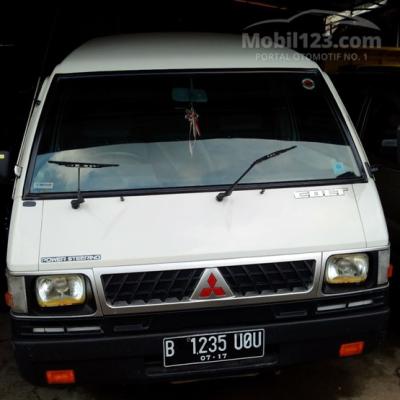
186 207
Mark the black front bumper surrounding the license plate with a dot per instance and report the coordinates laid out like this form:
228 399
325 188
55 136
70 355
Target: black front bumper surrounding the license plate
129 349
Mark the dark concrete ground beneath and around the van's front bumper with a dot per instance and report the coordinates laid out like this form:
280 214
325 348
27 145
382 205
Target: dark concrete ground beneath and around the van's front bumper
369 377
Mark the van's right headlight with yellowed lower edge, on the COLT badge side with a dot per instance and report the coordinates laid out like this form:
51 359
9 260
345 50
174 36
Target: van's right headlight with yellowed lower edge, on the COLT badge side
347 269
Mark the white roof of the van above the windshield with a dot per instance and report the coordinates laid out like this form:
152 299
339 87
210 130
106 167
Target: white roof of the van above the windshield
176 51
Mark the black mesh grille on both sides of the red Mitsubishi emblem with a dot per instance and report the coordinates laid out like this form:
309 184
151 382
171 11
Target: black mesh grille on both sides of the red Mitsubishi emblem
177 286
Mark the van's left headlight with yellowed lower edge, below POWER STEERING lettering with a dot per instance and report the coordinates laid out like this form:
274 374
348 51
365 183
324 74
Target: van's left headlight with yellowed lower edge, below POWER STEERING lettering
60 290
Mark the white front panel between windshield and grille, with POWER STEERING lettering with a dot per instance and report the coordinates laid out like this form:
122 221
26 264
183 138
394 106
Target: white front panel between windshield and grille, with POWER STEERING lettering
107 232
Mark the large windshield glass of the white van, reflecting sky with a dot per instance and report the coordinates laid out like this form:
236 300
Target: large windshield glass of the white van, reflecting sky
192 130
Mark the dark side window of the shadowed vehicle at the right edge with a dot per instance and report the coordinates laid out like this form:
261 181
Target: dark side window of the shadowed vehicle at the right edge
382 134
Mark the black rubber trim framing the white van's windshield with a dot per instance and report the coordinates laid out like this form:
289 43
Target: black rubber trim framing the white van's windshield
28 195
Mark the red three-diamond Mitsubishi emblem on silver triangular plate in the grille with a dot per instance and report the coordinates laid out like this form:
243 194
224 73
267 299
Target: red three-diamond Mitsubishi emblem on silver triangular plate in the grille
212 285
